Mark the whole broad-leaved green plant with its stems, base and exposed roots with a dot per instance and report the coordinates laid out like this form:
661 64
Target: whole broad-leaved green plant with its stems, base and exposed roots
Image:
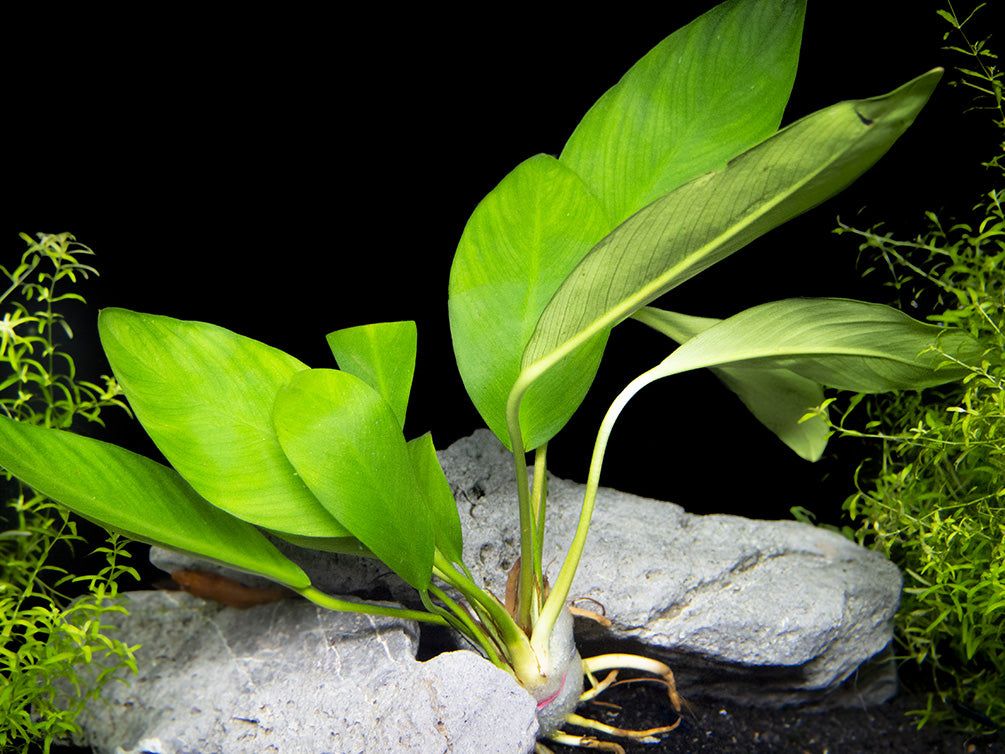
657 183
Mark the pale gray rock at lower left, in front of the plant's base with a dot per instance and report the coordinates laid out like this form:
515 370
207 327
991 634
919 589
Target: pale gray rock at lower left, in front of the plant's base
292 677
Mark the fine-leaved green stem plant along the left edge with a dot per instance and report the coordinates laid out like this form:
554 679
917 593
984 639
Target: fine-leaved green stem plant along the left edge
55 653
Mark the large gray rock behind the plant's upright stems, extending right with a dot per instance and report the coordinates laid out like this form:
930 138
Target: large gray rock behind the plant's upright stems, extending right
764 613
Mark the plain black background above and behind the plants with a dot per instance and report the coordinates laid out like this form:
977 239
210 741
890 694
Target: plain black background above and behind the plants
289 174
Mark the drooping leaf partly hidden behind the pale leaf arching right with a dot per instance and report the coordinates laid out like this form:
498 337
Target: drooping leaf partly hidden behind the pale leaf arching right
778 399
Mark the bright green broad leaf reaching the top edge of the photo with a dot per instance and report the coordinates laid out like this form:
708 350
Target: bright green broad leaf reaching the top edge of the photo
707 93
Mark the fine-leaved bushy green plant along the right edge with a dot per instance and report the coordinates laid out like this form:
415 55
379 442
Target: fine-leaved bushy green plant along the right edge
934 499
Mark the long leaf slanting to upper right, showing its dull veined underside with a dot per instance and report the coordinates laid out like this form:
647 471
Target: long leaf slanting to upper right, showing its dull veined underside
709 219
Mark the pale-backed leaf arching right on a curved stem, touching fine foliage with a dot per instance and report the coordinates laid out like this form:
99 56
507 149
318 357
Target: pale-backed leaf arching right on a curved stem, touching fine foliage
840 343
